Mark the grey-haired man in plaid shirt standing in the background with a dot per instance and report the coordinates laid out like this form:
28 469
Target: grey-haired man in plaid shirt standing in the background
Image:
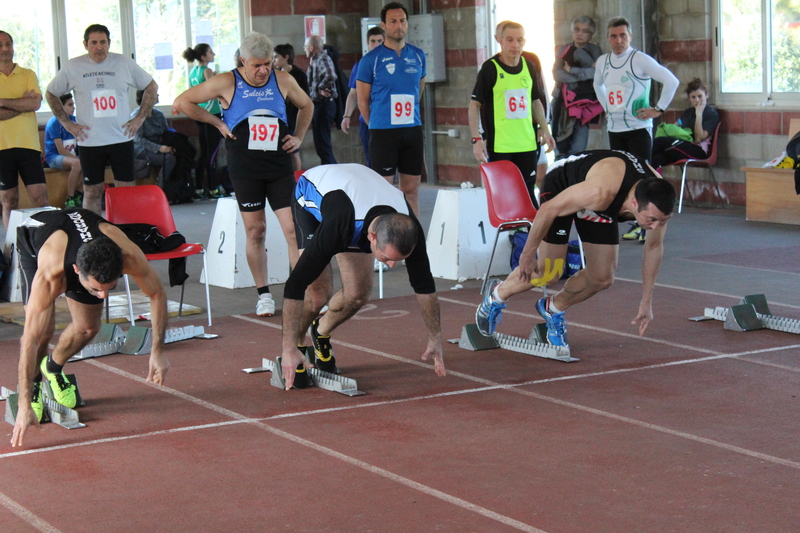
322 84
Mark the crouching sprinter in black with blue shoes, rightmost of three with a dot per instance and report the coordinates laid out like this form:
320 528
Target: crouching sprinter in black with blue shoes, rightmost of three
594 189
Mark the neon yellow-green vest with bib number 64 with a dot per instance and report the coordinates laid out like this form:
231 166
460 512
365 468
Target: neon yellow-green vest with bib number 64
513 125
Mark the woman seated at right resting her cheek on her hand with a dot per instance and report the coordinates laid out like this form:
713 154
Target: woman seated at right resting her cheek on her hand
699 123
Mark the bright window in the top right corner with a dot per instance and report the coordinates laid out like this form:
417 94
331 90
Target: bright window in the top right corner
758 43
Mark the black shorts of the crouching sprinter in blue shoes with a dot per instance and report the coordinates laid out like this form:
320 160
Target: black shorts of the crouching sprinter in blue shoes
591 227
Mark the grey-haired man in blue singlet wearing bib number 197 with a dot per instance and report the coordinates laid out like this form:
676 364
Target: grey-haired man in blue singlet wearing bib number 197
255 128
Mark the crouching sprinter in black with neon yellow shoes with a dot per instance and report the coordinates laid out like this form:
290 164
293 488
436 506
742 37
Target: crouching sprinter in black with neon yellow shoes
79 254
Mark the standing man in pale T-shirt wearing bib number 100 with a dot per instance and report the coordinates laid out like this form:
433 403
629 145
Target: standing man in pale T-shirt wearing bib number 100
101 82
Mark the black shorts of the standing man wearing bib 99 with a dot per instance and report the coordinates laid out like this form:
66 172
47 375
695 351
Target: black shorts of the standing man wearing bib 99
396 149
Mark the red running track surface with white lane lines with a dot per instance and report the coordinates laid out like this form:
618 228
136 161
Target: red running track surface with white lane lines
691 429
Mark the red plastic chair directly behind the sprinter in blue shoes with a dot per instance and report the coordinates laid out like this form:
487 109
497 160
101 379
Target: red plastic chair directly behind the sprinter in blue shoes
509 202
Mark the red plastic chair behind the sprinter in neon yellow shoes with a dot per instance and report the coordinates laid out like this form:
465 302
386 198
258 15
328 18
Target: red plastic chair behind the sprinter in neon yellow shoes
147 204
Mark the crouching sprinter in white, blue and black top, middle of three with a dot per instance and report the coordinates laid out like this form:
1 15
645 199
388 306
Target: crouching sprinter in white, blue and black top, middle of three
349 212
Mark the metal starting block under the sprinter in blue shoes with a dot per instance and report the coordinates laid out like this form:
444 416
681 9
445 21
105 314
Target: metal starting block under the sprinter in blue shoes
536 345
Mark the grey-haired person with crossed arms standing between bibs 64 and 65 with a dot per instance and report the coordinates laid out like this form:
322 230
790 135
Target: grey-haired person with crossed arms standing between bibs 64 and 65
574 100
